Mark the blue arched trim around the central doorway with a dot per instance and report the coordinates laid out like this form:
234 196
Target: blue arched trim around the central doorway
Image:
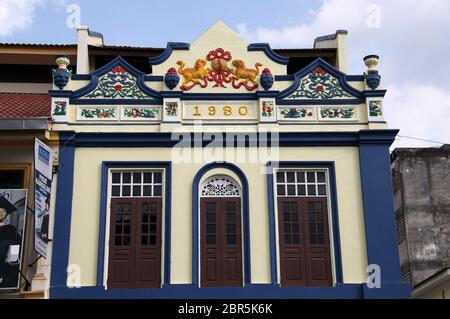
245 219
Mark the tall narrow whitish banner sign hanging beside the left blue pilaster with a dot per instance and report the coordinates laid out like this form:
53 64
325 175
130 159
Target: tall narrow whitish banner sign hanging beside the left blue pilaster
43 163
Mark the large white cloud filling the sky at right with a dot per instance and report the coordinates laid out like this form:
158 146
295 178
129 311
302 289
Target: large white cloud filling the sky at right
413 48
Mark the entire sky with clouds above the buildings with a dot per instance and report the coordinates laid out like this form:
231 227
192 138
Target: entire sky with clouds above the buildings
410 36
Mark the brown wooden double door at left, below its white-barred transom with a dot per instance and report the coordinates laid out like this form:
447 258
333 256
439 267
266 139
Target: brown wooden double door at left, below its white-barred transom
135 243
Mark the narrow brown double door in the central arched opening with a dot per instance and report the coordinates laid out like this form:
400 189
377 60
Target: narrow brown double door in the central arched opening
221 242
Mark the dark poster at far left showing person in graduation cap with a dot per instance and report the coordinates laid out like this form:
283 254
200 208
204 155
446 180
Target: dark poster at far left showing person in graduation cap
13 204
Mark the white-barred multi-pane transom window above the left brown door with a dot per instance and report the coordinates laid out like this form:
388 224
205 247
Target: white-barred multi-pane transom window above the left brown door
136 184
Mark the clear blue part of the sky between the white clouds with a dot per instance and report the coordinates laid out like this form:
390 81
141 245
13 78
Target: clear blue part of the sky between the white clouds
154 23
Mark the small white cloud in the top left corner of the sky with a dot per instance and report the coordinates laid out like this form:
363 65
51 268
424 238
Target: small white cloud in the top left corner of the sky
16 15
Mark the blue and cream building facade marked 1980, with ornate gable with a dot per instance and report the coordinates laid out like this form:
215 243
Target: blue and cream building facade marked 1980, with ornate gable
220 175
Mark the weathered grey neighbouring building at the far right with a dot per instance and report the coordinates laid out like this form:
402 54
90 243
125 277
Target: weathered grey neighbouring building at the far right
421 179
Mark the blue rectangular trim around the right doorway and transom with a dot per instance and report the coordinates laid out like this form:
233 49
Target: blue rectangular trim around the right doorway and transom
334 212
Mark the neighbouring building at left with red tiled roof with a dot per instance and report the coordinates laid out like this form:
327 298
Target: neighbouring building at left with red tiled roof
25 78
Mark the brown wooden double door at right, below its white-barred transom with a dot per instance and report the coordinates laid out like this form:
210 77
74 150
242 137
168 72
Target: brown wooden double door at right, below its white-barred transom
304 242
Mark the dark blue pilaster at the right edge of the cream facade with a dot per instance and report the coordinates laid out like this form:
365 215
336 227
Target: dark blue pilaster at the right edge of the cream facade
378 203
